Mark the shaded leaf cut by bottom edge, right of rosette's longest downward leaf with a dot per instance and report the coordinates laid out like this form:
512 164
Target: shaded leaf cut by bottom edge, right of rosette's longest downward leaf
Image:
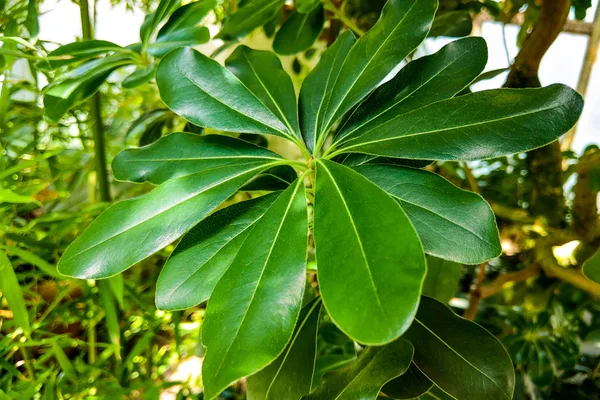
290 375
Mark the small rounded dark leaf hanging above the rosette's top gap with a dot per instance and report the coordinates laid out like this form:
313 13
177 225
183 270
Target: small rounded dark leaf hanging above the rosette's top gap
299 32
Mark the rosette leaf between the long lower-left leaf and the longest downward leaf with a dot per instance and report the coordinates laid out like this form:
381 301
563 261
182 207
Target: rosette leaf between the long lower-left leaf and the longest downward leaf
205 253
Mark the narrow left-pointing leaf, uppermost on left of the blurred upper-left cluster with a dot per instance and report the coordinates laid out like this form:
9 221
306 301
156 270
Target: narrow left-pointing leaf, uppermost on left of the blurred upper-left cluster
79 51
